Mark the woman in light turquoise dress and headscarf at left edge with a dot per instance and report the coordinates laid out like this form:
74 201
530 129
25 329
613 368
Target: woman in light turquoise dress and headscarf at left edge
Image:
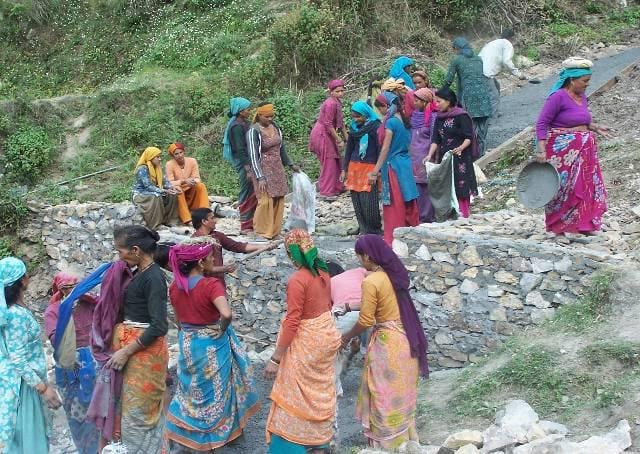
23 368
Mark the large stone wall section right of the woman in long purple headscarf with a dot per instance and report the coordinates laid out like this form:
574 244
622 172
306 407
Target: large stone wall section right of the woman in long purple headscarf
477 281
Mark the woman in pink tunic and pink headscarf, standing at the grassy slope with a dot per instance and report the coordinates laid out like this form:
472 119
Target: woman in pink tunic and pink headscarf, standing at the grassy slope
328 137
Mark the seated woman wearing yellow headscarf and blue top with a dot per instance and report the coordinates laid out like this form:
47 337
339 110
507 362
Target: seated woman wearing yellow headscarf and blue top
153 194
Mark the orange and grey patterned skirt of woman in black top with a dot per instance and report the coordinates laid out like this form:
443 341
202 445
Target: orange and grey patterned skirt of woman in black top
143 387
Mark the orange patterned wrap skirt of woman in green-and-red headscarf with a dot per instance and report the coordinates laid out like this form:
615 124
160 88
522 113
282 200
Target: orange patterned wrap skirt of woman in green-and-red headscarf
303 396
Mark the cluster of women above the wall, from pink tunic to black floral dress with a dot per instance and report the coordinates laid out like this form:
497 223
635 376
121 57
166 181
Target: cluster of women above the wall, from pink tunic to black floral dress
387 146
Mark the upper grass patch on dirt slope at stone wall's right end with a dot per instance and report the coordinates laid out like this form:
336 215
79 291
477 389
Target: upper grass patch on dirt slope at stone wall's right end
592 307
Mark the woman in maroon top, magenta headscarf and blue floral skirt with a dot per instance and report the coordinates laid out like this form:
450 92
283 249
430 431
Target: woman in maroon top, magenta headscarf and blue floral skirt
215 395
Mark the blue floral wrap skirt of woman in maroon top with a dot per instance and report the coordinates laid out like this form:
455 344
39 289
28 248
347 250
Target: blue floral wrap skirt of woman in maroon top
215 395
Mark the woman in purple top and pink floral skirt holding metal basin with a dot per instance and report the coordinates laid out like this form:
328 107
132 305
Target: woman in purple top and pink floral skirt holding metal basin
567 139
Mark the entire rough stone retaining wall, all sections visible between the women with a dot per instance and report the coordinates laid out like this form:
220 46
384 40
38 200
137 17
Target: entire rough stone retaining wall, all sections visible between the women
474 281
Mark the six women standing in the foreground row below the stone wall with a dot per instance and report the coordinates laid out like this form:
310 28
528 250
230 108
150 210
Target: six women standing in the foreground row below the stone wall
116 385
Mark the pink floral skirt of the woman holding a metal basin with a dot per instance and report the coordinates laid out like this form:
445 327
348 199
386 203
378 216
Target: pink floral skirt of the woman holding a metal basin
582 198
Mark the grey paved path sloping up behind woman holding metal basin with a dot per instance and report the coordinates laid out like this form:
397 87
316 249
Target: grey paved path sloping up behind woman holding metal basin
521 108
